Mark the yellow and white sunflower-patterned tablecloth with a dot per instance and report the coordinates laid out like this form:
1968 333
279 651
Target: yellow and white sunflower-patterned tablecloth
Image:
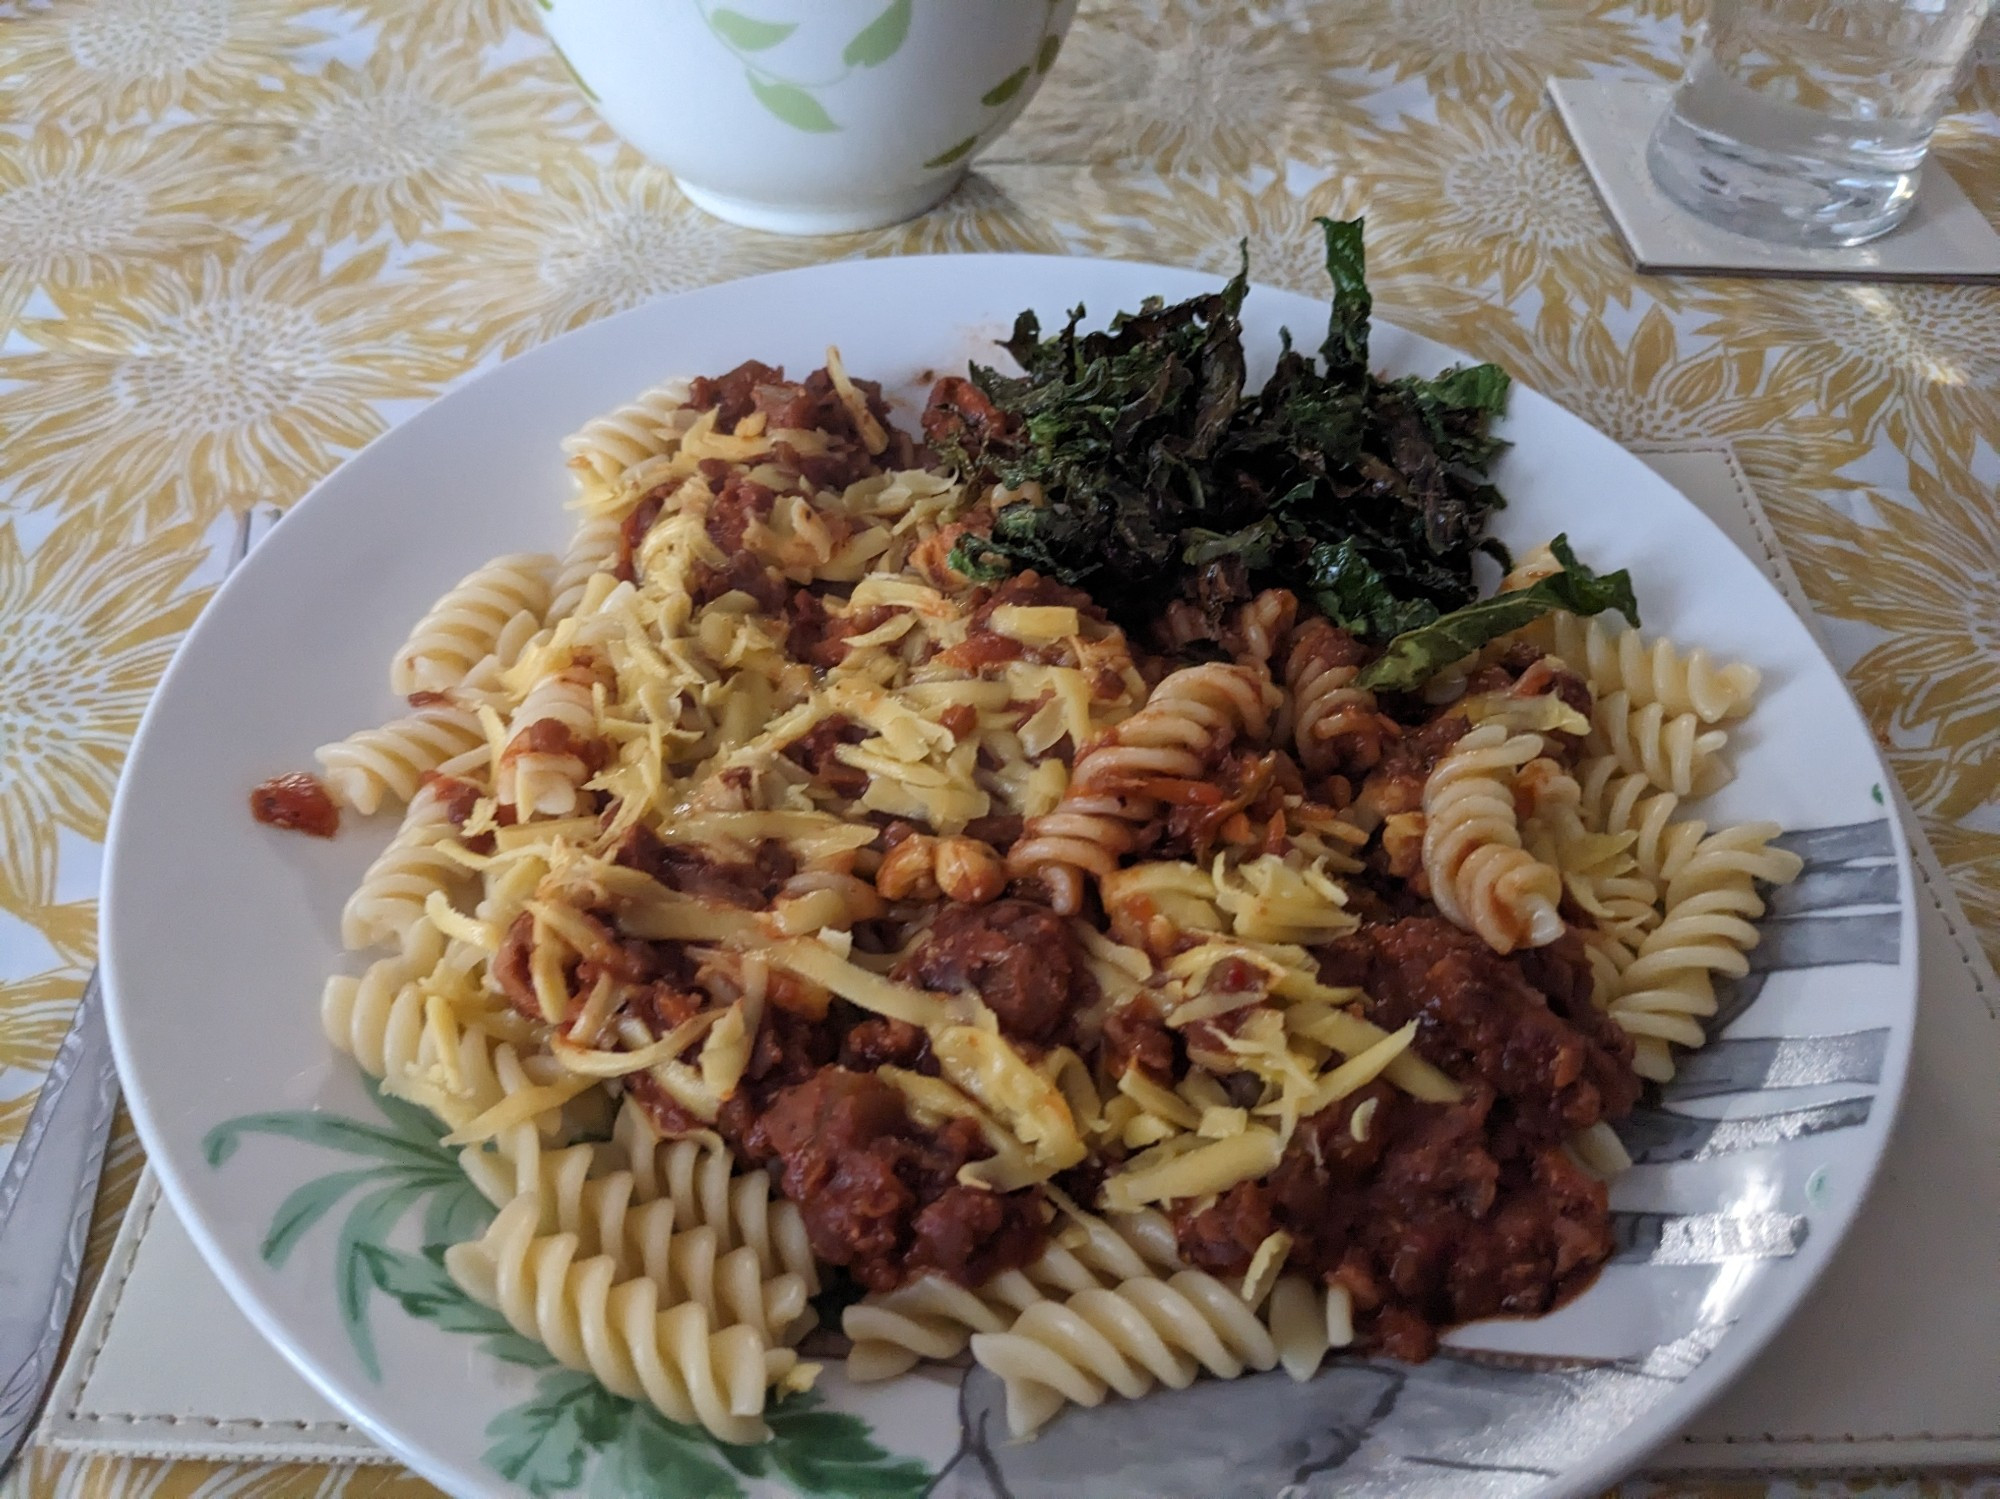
239 239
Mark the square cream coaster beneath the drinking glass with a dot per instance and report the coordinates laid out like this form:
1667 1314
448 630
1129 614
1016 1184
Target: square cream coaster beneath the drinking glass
1945 239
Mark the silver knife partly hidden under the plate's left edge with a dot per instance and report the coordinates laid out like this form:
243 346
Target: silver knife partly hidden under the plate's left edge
51 1182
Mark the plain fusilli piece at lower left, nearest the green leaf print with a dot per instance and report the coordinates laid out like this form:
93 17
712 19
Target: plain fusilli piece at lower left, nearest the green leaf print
671 1356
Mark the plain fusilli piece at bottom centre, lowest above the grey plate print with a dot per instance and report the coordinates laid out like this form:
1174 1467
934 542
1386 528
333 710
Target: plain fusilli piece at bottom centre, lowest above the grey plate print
1125 1340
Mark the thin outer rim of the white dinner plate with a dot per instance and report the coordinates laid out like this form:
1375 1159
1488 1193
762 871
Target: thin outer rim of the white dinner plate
1621 1454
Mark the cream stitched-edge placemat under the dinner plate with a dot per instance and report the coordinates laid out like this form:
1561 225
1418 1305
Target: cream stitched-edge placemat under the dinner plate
1893 1364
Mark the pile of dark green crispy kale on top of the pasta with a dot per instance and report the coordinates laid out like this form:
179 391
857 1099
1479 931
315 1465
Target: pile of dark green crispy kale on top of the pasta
1165 479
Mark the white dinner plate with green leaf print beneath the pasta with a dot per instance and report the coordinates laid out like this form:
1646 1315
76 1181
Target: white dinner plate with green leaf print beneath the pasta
315 1200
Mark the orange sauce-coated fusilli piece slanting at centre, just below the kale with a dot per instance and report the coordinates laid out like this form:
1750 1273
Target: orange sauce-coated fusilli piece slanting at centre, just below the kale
1167 747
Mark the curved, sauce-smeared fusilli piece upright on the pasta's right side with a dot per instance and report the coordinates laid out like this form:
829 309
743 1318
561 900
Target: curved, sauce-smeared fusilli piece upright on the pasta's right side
1481 876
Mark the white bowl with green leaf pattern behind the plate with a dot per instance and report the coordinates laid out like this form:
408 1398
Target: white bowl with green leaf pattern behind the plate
811 117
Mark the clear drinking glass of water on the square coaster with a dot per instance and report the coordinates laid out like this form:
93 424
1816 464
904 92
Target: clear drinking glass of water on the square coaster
1807 121
